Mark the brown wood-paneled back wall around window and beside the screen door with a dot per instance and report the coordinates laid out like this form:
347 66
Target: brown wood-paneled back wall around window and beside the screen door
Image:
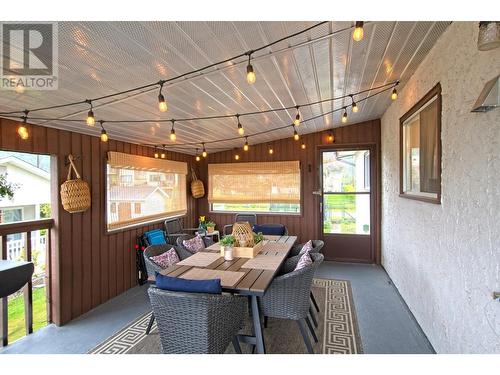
305 225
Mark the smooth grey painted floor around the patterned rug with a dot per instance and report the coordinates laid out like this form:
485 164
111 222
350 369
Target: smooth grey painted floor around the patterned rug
386 325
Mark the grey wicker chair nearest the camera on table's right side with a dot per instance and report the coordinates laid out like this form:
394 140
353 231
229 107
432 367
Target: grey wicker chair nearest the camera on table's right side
288 297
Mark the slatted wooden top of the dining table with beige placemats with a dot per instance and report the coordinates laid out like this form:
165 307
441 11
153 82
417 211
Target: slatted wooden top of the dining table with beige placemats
238 278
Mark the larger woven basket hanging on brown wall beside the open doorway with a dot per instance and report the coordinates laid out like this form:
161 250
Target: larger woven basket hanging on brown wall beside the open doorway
75 194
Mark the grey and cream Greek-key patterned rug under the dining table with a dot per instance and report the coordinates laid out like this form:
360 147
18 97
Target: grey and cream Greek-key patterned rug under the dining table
337 329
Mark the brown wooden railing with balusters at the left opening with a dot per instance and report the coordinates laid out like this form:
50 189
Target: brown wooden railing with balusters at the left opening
25 227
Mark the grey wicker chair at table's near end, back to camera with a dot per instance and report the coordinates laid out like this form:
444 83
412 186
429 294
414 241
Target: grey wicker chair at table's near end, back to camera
196 322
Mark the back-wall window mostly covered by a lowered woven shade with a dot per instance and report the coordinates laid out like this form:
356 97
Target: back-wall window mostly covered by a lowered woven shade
255 187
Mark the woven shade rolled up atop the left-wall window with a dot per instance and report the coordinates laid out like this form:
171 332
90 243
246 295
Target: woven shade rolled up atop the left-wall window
128 161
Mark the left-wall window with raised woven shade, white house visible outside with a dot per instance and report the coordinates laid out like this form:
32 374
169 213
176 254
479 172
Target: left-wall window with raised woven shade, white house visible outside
140 198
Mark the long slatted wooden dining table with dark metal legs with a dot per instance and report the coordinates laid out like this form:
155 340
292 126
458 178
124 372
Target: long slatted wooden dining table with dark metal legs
244 276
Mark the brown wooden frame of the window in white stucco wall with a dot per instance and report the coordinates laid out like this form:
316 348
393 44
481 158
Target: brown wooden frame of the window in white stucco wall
421 104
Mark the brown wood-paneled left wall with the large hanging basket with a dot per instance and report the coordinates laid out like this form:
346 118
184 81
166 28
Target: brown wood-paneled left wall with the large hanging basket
88 266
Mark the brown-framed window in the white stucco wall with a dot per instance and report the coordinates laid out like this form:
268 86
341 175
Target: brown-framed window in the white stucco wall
420 138
